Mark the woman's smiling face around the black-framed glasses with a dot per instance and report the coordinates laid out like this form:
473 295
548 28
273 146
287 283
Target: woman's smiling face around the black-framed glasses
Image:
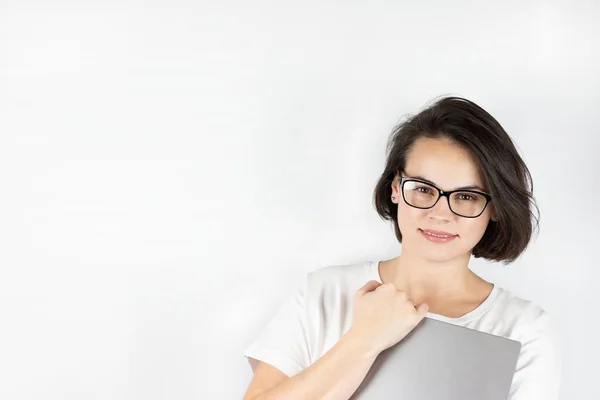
448 166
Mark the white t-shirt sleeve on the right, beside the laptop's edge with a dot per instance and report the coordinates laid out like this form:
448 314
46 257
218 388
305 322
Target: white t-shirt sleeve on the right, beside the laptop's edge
538 372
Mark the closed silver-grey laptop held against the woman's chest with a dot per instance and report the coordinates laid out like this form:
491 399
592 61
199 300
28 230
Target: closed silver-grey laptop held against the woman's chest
442 361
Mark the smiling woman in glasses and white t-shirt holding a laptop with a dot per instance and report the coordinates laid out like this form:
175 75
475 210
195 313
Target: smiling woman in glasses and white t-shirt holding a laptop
454 186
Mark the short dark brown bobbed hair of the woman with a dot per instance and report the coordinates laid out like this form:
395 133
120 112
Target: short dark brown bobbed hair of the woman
506 176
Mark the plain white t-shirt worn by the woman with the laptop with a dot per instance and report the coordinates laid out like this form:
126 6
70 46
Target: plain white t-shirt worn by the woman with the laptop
319 312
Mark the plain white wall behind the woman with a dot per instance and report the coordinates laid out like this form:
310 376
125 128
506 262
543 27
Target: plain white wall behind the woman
169 169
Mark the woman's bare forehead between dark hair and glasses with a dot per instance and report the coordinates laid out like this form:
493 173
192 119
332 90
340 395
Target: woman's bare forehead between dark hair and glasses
444 163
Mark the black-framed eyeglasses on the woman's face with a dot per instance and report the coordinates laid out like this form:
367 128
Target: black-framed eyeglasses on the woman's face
464 203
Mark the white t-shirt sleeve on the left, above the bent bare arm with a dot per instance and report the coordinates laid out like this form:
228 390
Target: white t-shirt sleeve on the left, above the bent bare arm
283 343
